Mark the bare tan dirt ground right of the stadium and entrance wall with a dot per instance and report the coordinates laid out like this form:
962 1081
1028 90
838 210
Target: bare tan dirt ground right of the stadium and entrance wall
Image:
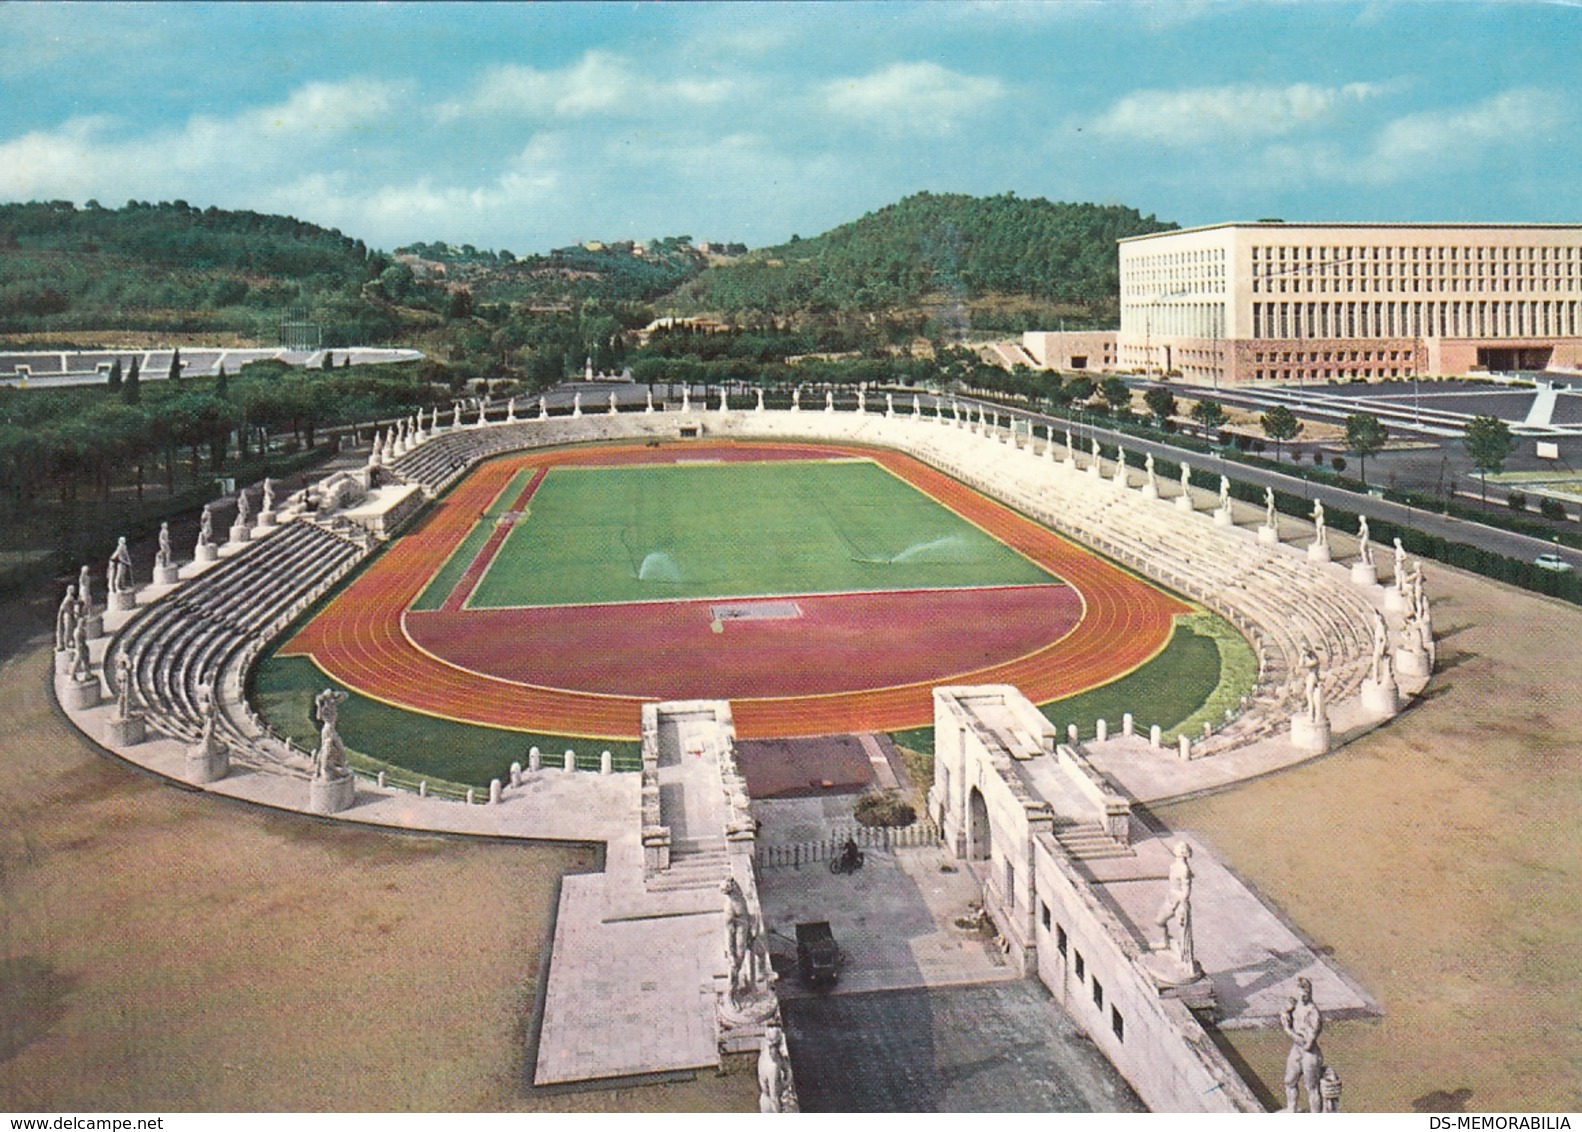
1442 862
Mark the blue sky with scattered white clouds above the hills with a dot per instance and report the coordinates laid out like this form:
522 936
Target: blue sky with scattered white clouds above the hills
534 127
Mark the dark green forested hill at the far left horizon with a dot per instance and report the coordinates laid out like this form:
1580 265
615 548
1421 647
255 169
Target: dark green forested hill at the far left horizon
175 268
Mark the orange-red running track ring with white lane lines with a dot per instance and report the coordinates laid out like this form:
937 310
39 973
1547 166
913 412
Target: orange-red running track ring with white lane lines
360 638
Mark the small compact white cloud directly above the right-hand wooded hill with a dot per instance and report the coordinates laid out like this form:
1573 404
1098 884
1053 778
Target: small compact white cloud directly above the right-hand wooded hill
912 97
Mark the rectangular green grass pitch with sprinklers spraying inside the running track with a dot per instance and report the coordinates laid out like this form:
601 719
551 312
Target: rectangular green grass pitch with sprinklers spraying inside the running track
722 530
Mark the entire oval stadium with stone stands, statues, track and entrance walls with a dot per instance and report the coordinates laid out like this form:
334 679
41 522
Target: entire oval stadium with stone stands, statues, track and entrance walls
667 592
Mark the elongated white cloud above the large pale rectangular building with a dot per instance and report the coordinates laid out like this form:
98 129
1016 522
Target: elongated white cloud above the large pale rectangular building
1206 115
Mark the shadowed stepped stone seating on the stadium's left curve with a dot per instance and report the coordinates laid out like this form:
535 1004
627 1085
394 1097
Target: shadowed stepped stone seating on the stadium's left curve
205 636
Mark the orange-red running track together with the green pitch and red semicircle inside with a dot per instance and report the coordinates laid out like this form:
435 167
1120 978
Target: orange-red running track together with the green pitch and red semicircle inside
822 589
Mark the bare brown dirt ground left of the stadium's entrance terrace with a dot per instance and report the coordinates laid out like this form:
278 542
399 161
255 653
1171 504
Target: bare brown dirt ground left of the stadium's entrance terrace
168 951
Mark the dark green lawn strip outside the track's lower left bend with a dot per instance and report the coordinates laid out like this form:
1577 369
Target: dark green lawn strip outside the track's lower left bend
414 747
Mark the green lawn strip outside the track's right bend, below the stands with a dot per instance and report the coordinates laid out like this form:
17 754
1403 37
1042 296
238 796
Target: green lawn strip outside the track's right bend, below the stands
1205 670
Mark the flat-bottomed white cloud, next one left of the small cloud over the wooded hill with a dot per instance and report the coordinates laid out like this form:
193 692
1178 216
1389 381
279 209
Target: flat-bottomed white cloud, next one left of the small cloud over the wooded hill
600 83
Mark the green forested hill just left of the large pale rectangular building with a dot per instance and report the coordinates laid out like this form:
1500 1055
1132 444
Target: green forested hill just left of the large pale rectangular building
933 247
